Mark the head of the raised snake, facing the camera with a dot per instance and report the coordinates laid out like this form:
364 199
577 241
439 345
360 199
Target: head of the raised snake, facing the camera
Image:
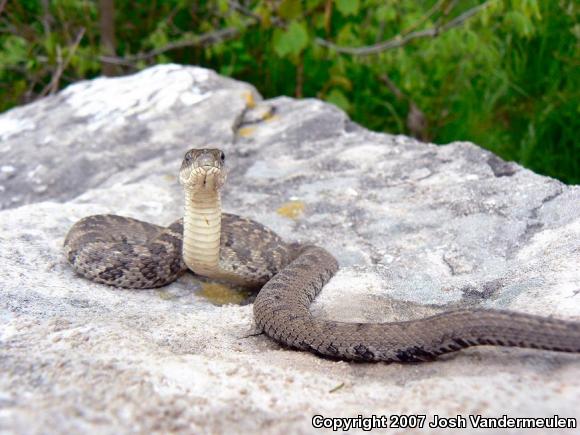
203 169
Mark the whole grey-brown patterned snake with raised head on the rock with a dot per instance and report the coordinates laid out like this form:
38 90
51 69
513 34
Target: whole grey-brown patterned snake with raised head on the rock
129 253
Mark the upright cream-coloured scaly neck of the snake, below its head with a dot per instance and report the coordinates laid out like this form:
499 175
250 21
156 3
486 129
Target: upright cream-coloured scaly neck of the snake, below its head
201 231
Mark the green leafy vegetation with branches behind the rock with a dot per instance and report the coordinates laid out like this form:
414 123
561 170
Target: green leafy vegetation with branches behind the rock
501 73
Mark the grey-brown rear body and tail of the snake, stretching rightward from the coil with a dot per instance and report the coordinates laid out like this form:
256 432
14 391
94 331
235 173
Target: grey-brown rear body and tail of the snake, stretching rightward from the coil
284 314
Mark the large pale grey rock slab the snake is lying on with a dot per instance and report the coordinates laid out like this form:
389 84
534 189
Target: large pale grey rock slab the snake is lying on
417 229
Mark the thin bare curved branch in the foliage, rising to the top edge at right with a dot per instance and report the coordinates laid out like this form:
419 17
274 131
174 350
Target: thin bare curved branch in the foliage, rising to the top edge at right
399 40
